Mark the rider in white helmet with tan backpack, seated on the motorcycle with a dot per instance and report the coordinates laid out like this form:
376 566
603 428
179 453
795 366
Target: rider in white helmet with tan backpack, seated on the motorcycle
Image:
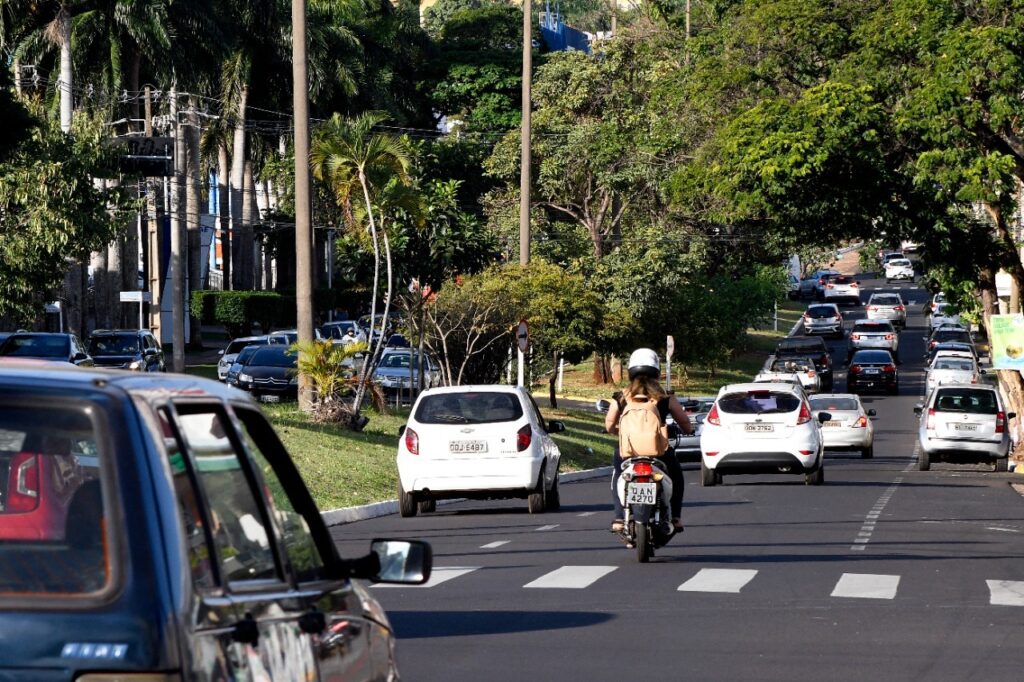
645 372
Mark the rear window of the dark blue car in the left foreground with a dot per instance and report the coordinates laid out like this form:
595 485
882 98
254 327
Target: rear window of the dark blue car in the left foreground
53 531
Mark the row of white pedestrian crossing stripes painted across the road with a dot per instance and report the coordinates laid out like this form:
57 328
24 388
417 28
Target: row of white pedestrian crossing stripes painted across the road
722 581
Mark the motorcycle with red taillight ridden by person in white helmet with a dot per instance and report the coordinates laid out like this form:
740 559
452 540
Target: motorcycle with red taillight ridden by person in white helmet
645 490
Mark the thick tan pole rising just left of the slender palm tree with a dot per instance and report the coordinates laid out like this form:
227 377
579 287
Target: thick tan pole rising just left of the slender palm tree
304 211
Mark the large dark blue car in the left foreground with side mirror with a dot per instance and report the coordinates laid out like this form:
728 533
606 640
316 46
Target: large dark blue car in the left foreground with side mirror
189 549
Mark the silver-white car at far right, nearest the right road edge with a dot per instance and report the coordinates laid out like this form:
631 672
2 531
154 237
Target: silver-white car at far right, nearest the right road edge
964 424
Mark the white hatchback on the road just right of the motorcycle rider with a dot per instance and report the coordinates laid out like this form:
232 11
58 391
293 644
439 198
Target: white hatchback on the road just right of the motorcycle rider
762 429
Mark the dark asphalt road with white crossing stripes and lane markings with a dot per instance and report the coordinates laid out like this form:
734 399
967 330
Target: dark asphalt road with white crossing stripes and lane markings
883 574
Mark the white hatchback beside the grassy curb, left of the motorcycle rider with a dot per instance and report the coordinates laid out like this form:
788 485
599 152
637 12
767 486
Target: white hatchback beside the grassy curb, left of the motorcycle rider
487 442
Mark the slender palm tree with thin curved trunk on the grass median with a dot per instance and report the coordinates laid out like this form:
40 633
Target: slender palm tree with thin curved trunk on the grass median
351 157
